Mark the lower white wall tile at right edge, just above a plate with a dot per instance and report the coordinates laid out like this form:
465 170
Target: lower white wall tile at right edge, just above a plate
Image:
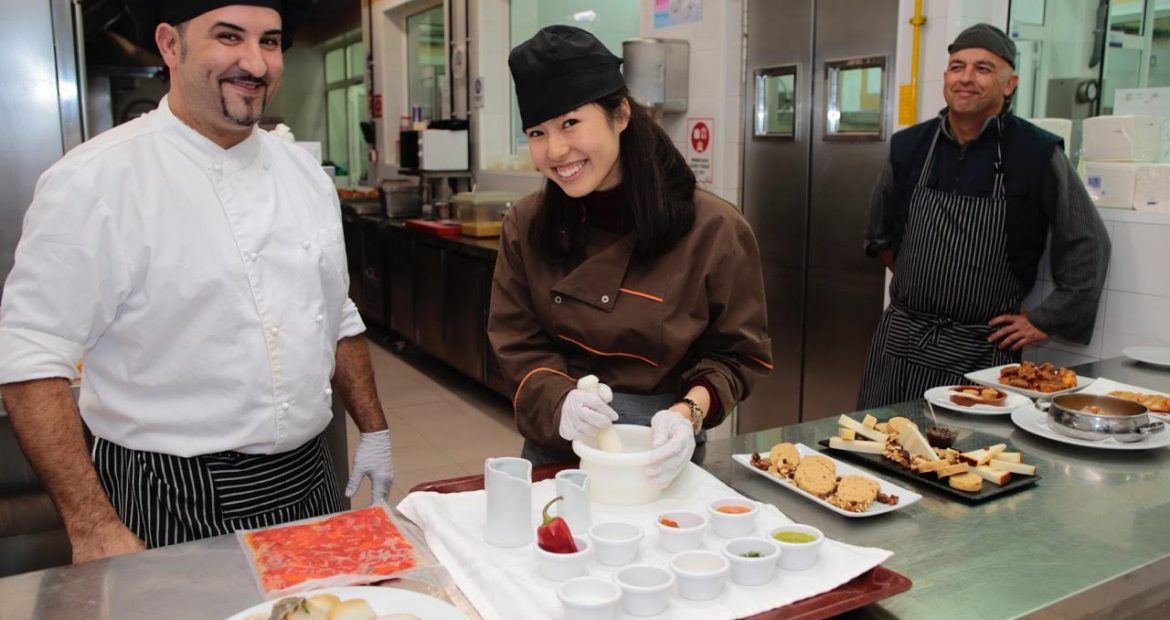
1134 320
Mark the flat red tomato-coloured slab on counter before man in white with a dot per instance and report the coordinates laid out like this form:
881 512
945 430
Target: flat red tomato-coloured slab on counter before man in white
364 545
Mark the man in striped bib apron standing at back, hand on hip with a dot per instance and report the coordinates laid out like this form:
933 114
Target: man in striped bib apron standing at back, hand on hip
962 216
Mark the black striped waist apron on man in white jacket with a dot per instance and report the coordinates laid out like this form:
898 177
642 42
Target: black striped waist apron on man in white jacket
167 500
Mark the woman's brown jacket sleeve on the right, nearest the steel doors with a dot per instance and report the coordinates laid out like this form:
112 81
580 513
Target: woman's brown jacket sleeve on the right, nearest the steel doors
735 352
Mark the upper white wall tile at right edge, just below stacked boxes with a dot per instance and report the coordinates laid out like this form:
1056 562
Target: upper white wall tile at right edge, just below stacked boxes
1140 258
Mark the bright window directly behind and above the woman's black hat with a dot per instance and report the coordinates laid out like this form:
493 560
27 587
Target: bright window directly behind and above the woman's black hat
612 22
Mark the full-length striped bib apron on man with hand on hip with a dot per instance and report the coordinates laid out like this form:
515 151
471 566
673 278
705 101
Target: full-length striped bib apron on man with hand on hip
952 277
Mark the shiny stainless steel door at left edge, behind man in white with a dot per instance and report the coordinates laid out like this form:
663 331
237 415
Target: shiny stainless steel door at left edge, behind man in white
40 115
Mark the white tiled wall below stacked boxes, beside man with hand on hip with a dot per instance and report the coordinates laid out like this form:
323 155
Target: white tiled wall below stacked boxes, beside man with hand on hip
1135 306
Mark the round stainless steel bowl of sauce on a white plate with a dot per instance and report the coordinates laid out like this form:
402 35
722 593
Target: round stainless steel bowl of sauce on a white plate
1118 419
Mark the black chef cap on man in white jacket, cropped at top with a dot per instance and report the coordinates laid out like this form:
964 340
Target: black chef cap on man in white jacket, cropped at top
148 15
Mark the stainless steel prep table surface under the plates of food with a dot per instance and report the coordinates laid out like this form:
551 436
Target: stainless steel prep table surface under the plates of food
1089 540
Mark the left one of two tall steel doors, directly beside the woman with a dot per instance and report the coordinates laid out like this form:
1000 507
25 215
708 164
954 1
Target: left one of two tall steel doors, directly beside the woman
776 196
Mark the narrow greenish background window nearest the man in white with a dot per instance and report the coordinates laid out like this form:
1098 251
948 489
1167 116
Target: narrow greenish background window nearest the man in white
346 107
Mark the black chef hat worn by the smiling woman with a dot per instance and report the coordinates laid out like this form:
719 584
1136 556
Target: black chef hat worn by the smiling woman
562 68
